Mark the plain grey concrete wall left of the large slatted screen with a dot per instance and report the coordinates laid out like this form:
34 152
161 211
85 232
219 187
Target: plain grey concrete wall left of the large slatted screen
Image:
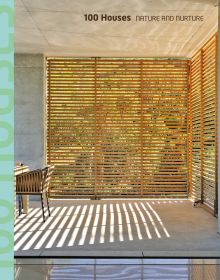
29 109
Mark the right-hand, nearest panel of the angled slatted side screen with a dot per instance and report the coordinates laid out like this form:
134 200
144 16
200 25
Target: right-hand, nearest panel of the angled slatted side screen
210 121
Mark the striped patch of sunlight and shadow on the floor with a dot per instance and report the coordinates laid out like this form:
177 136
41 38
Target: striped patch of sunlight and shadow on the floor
88 224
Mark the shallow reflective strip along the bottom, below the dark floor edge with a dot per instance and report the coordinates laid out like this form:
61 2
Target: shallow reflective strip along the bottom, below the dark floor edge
120 269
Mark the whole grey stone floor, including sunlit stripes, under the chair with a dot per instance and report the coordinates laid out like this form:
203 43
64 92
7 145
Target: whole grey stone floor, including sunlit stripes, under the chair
117 228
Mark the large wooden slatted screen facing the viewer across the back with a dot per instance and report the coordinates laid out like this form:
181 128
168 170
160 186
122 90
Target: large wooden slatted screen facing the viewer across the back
117 127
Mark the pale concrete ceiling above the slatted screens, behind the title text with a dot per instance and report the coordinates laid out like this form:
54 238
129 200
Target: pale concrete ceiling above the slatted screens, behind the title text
57 27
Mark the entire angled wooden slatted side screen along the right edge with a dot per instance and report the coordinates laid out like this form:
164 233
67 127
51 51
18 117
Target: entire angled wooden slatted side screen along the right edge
204 123
